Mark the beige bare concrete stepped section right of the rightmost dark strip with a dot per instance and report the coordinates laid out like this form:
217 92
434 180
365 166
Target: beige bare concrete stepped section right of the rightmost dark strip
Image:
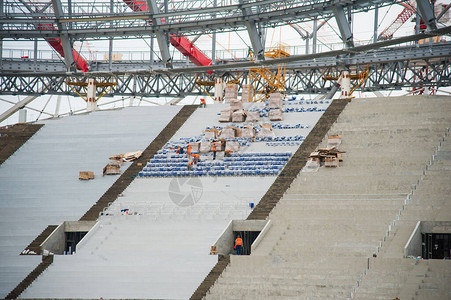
329 223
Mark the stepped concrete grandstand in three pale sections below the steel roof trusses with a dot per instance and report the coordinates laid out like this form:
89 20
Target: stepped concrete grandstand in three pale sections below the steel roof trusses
335 233
